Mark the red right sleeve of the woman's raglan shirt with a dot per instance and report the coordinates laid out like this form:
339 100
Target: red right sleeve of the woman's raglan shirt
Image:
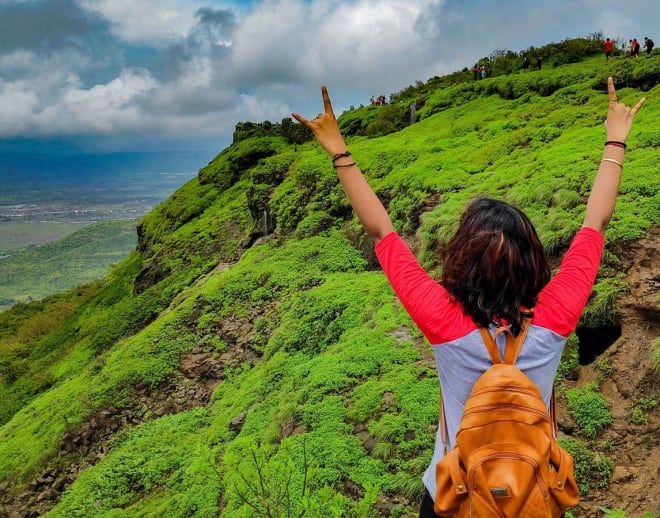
561 302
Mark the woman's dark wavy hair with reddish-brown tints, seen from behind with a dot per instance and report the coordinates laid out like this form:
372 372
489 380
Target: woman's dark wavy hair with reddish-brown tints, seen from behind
495 265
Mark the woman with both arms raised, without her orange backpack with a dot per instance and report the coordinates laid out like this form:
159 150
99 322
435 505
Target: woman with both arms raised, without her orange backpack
495 272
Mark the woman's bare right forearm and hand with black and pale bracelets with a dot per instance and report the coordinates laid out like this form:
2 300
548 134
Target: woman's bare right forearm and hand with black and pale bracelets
606 185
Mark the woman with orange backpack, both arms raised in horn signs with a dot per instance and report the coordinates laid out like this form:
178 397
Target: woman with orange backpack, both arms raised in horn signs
495 280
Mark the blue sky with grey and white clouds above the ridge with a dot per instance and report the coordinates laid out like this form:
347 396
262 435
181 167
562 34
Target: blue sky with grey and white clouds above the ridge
179 74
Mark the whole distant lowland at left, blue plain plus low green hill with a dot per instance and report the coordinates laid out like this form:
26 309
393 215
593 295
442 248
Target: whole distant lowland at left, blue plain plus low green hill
66 219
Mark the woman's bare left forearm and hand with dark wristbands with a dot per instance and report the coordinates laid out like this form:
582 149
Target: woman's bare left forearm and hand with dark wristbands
365 203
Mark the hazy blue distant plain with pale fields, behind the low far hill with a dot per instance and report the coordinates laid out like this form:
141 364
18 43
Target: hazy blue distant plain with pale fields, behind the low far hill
77 189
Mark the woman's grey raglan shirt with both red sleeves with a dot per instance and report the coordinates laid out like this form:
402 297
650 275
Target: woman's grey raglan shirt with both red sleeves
460 354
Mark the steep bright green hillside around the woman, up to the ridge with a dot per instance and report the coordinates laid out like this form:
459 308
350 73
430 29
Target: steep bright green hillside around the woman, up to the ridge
217 371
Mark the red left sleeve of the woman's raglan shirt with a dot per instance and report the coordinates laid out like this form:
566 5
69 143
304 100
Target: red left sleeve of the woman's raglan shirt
437 315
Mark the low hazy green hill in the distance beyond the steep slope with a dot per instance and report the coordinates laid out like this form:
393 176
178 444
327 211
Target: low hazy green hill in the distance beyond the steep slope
81 257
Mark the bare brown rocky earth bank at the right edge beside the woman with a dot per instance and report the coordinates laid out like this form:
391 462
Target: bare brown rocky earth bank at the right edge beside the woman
627 372
